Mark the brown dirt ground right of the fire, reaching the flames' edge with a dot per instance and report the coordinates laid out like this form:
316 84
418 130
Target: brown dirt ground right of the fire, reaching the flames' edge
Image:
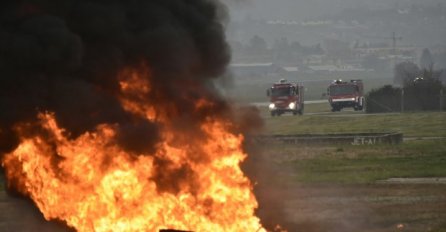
417 205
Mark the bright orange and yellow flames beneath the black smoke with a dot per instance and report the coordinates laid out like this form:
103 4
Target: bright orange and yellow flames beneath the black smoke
93 184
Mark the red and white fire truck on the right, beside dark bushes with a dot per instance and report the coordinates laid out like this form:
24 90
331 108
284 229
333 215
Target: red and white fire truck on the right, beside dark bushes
343 94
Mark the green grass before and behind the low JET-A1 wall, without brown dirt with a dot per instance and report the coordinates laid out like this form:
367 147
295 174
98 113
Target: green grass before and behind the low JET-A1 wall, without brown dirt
363 164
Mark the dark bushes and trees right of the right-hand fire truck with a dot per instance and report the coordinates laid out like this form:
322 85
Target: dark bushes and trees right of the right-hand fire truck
418 88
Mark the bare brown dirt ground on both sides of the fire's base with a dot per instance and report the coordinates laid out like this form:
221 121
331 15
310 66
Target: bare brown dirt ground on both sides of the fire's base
394 206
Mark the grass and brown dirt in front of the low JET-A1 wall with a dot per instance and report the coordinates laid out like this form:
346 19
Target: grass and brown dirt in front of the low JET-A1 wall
334 188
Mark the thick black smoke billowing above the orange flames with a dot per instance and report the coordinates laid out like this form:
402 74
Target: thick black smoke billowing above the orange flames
65 56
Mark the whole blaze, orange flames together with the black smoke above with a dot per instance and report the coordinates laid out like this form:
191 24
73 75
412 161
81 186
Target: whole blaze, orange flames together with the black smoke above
113 123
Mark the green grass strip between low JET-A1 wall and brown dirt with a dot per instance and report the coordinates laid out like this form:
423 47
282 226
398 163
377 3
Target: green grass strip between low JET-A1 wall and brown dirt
367 164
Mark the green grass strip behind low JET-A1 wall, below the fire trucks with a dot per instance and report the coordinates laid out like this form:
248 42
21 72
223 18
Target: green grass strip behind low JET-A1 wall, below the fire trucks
418 124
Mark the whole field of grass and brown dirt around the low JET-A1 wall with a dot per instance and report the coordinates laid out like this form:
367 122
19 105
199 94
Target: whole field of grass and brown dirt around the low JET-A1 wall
339 188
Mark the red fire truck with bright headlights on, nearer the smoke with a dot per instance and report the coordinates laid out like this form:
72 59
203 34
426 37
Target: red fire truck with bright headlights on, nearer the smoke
286 97
